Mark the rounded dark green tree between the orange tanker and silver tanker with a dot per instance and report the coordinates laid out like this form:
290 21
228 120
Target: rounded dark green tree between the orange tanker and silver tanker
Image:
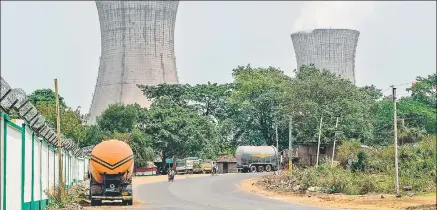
179 131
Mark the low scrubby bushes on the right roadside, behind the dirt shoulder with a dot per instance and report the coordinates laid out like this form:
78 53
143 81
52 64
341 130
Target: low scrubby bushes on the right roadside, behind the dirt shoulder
373 172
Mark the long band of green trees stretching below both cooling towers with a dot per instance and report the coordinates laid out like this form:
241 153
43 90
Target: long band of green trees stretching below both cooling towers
208 119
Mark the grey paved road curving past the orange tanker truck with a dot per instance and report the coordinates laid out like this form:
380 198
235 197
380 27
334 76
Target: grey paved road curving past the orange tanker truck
211 192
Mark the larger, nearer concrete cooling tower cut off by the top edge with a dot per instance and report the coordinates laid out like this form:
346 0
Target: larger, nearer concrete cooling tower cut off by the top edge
137 39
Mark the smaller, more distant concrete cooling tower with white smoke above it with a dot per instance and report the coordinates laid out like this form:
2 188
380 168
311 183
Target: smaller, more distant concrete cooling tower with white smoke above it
331 49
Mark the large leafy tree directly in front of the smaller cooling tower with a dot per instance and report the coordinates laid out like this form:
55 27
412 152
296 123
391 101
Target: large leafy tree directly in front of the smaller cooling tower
317 93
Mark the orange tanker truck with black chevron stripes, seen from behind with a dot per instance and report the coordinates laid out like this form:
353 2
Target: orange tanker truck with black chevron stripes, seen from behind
110 172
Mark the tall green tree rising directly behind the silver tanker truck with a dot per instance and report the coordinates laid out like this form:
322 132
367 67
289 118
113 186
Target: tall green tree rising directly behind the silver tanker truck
256 104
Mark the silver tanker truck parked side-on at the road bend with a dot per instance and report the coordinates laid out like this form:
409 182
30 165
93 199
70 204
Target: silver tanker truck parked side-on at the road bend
257 158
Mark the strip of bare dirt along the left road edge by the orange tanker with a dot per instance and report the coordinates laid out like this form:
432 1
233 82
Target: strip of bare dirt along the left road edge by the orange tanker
137 181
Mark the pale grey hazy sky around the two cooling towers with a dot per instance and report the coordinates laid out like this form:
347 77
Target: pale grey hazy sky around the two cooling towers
41 41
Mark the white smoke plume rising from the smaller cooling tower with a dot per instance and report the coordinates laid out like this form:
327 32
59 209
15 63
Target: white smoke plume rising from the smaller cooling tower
335 14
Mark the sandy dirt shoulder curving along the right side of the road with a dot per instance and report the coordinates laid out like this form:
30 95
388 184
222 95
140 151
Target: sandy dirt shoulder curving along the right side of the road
389 202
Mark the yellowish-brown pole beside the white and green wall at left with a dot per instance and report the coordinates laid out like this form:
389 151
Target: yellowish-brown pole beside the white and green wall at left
58 125
